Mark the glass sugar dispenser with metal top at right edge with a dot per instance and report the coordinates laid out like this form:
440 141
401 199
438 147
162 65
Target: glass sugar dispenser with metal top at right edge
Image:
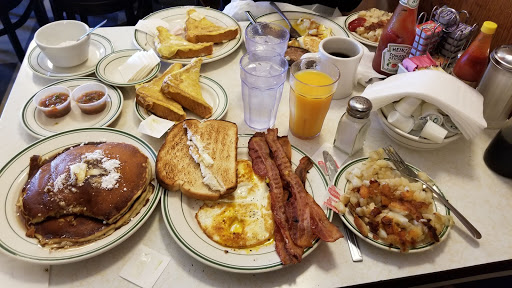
496 87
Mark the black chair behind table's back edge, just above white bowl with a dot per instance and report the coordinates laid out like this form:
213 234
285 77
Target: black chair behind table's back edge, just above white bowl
85 8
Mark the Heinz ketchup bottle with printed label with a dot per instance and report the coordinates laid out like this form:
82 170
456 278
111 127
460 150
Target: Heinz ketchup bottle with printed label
397 38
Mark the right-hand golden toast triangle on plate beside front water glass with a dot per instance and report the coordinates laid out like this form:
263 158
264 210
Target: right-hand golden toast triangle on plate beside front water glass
183 87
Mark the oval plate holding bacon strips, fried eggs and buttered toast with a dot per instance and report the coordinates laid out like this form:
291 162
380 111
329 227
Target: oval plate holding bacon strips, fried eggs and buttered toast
217 205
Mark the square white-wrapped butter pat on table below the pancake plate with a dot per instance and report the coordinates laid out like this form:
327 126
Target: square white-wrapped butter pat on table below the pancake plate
144 267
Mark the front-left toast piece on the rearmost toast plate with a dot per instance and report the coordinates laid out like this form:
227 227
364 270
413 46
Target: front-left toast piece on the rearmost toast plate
170 46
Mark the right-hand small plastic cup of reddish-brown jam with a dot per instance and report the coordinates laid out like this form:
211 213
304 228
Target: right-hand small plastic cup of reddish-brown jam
91 98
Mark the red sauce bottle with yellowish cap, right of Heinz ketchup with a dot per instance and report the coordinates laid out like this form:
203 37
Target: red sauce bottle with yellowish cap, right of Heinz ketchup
470 67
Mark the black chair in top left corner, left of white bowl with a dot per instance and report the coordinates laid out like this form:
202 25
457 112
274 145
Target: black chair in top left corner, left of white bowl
10 27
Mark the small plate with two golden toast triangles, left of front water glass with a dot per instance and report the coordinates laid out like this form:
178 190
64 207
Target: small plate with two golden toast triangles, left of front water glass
180 93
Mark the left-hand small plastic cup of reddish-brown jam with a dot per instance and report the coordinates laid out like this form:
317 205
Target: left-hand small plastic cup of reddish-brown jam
54 102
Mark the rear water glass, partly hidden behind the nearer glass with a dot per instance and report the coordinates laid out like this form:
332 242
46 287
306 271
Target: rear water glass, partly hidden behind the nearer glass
266 36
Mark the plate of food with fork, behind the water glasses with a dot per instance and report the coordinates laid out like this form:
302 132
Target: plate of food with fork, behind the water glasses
313 28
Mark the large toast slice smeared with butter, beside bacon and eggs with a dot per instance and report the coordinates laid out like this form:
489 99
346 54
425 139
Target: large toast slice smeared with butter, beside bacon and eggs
176 169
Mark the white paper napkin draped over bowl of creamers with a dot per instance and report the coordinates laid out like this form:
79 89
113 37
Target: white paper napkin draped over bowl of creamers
461 102
